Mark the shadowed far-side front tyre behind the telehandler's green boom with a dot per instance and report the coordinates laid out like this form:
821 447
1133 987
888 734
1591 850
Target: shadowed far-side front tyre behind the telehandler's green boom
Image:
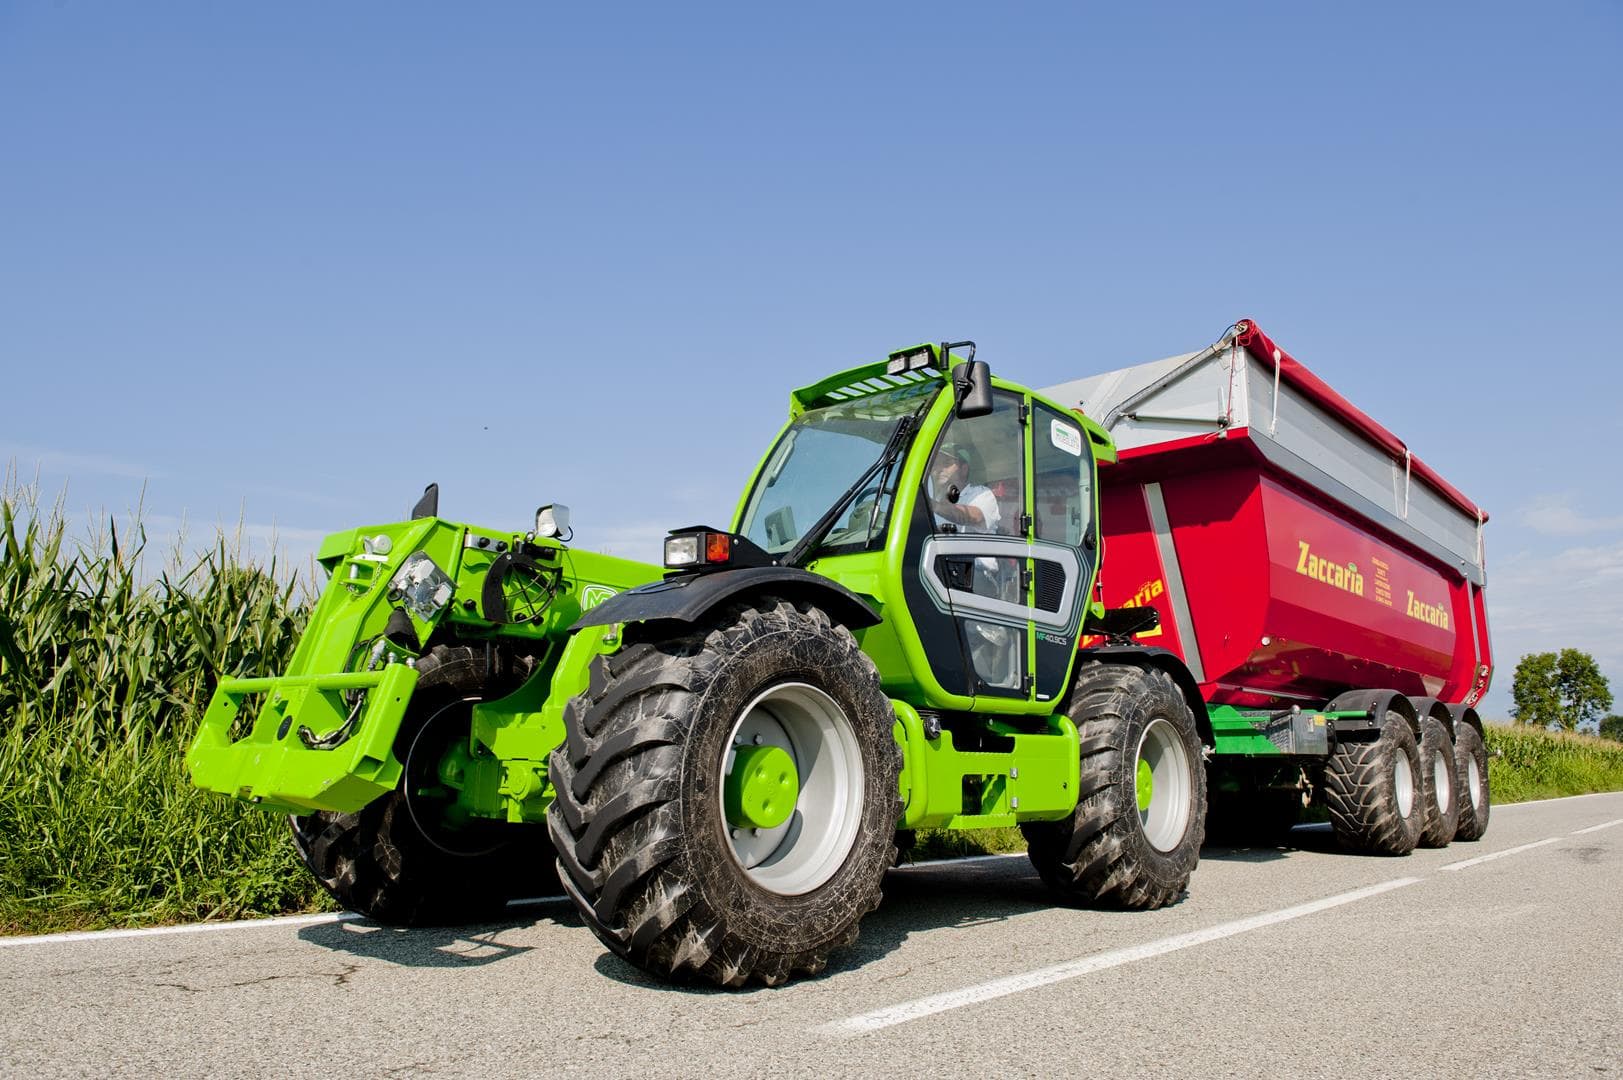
392 862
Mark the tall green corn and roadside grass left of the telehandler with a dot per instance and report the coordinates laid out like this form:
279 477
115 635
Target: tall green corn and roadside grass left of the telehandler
103 681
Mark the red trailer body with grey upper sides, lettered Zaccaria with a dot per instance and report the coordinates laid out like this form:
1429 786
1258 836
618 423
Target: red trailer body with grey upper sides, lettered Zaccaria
1293 546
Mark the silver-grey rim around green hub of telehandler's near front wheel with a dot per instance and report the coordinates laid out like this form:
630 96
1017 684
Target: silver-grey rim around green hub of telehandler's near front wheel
812 844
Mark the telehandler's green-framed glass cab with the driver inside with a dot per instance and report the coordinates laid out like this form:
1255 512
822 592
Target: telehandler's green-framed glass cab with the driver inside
962 508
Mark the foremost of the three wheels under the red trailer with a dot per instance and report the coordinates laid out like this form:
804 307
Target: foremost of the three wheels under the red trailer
1372 792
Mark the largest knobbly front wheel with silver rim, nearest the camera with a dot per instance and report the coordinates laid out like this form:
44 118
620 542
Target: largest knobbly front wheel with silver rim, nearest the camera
648 850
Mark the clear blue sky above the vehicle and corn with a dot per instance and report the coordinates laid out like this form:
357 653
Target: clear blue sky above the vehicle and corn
290 262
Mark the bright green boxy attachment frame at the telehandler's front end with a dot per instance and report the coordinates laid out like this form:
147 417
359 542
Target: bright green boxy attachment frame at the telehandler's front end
314 746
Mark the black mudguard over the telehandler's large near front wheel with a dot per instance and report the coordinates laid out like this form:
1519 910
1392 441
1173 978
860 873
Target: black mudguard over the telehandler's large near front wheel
691 597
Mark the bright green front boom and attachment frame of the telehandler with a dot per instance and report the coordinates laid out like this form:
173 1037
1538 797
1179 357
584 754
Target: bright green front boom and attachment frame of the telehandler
256 738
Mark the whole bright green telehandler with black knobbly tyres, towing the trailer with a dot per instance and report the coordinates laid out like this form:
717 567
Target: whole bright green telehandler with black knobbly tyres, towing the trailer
725 751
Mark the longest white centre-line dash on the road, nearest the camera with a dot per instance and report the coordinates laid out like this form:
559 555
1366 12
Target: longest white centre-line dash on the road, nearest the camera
1087 966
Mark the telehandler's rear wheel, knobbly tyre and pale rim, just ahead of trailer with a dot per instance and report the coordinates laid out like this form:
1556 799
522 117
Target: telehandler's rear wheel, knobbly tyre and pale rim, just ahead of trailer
1113 850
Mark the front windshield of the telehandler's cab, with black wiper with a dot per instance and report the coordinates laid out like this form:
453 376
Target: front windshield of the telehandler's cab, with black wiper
819 459
